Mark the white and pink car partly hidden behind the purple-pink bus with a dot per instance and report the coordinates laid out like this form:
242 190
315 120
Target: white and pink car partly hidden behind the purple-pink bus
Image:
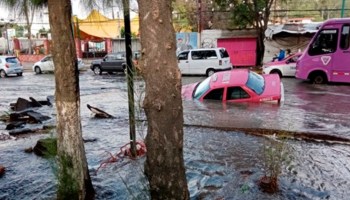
285 67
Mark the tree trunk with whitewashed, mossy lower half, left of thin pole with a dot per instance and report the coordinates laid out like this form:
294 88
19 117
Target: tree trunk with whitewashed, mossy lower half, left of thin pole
74 179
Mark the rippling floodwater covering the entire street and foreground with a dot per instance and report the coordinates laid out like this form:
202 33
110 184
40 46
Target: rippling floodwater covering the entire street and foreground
220 164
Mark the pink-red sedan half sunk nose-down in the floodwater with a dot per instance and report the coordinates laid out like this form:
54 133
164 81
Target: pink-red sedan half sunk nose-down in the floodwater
237 85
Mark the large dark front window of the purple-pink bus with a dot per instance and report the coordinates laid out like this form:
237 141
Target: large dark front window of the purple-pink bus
325 42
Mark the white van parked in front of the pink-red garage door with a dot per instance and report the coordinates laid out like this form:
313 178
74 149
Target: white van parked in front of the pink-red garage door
203 61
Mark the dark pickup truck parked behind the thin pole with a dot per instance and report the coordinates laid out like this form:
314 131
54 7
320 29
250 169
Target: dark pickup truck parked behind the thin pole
112 62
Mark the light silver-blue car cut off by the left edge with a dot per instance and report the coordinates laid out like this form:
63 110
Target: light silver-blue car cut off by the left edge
10 65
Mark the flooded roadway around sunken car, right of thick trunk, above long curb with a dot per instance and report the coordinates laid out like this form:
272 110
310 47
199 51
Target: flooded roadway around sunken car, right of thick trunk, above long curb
307 108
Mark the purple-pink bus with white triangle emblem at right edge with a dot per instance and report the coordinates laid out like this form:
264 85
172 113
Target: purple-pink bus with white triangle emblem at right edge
327 57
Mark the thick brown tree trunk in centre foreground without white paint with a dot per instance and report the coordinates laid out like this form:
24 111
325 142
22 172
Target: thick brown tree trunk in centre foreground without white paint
164 165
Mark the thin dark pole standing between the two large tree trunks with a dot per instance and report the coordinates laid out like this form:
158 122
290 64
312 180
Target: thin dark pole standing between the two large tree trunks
130 77
